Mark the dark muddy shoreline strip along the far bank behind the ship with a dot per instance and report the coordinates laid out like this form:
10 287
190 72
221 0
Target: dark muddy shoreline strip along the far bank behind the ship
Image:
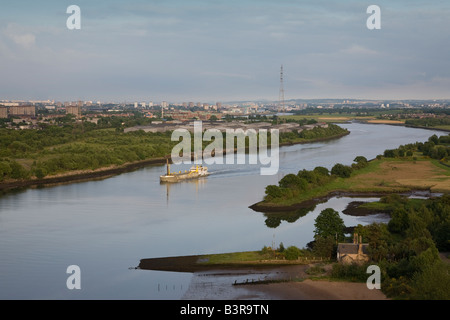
106 172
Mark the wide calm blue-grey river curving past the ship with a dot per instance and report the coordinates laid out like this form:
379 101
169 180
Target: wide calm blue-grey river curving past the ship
106 226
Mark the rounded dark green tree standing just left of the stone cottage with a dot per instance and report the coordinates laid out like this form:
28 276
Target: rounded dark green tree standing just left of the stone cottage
329 224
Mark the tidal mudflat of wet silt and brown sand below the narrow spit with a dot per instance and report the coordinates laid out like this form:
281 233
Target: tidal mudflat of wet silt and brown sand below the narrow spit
218 284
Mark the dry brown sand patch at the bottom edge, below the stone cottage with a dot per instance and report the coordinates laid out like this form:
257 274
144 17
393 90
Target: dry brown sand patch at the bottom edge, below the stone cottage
317 290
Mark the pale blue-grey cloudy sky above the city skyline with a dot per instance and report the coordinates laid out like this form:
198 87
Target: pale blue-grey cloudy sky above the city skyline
222 50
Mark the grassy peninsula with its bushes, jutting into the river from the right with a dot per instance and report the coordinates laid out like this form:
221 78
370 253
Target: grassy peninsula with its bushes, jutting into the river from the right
413 167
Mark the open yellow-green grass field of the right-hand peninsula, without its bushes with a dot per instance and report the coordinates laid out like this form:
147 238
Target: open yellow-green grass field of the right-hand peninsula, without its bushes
381 177
